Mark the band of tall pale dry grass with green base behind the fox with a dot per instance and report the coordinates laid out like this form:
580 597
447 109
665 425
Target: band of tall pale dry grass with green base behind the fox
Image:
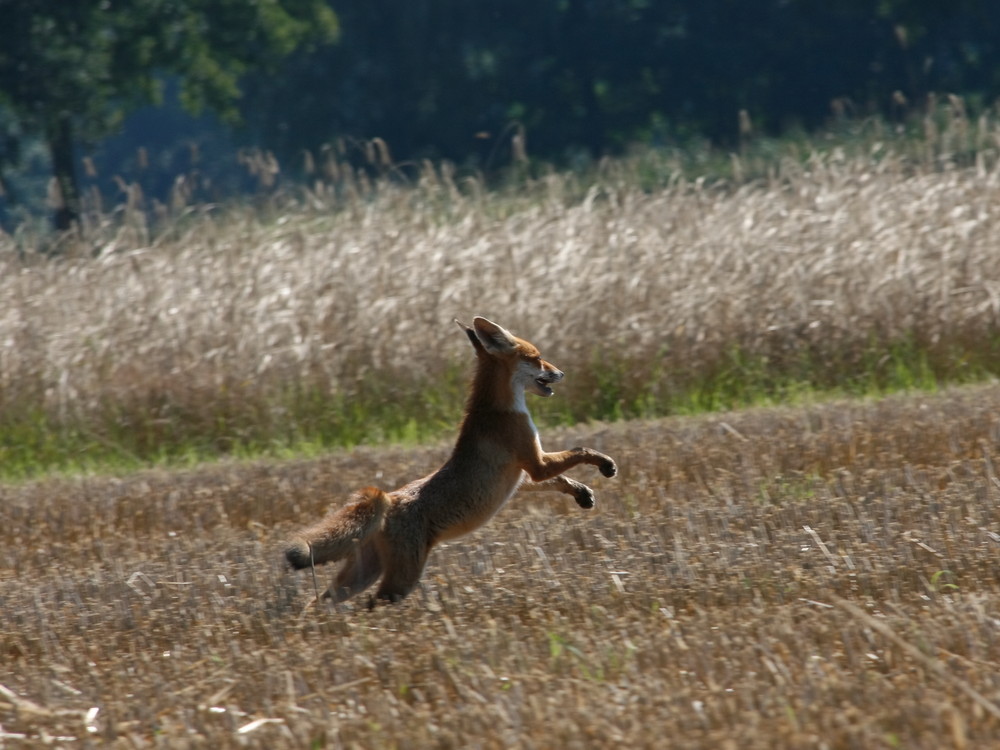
327 321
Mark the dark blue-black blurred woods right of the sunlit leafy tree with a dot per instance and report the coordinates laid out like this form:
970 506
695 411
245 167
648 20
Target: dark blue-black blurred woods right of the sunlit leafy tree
447 77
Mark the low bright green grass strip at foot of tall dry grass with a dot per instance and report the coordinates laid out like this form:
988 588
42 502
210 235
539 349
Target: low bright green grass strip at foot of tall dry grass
305 424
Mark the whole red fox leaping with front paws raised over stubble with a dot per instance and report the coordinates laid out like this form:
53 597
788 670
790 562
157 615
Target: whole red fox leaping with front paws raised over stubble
389 534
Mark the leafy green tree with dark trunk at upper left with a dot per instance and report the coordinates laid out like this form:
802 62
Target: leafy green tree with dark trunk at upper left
74 69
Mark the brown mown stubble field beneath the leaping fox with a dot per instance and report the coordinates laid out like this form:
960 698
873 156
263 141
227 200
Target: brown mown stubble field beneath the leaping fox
825 576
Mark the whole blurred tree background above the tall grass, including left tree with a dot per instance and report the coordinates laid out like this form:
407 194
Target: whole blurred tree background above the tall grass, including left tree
451 79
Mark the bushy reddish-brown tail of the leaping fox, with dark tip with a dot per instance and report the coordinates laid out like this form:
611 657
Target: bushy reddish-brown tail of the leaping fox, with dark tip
337 535
